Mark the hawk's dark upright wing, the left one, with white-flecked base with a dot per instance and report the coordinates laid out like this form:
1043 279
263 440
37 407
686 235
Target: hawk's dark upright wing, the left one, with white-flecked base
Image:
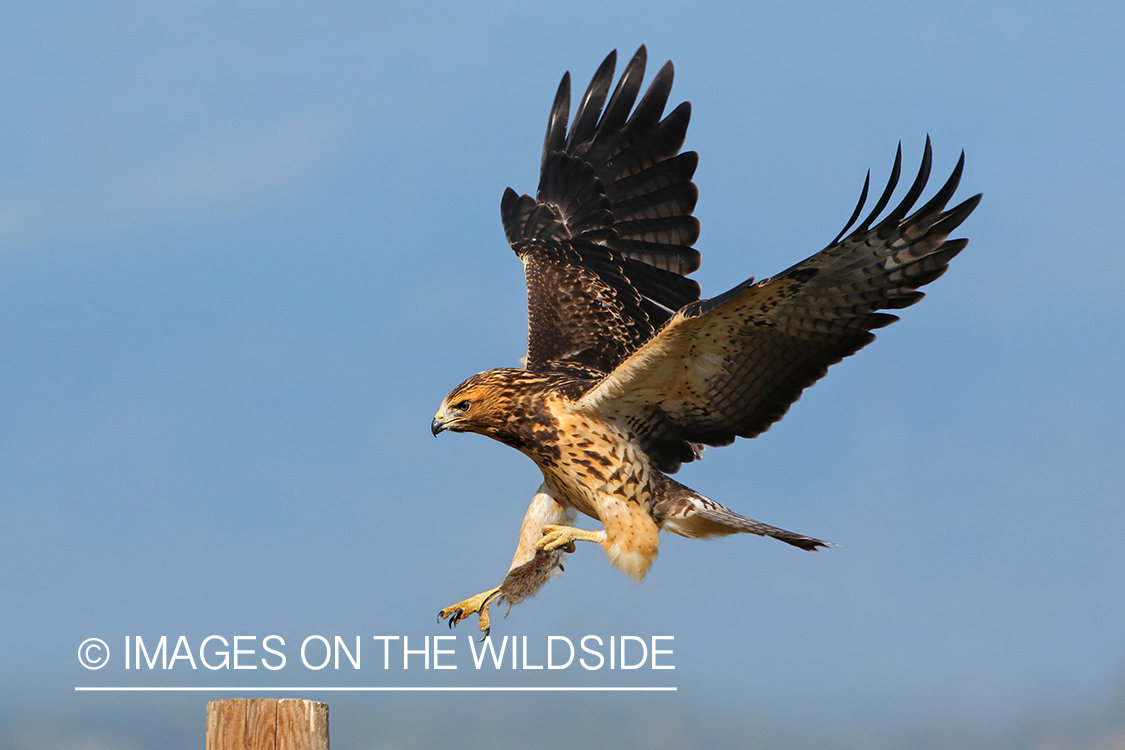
608 240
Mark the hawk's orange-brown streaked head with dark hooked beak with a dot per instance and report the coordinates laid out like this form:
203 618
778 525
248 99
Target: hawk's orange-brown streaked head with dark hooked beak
487 403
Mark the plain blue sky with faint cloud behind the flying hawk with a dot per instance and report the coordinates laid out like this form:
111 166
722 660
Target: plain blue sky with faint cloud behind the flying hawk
247 248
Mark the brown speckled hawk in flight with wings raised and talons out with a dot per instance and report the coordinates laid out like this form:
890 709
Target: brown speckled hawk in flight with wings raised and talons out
628 373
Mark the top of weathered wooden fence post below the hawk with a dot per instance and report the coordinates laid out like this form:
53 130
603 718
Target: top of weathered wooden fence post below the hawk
267 725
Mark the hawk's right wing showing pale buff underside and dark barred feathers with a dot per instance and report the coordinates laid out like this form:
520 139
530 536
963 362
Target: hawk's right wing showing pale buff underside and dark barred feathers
732 366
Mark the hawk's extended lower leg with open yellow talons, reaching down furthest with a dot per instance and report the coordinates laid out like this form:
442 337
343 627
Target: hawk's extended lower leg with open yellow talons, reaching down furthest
532 567
